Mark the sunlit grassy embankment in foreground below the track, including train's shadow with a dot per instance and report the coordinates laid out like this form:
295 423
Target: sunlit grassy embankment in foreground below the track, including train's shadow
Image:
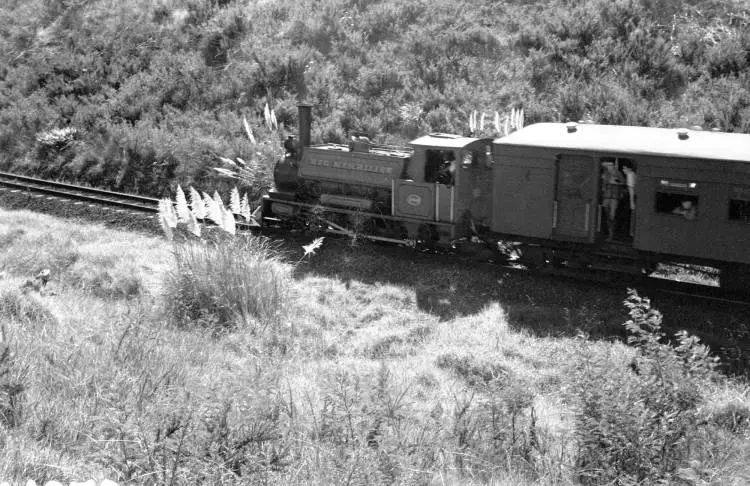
366 368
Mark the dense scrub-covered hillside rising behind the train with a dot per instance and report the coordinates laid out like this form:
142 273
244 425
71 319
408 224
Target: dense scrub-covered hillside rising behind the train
134 94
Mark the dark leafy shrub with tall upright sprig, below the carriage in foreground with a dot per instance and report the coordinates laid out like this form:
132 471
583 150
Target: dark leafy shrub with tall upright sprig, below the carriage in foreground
639 423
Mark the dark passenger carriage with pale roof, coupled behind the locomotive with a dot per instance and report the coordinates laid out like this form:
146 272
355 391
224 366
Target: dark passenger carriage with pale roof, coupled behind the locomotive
692 196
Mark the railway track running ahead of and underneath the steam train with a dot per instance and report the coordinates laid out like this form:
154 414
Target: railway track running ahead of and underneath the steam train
148 205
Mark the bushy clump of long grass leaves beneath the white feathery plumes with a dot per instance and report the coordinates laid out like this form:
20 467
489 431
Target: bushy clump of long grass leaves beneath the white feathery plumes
226 282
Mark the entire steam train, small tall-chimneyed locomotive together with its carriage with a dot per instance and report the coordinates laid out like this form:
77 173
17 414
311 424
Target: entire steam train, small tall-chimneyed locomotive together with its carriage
545 187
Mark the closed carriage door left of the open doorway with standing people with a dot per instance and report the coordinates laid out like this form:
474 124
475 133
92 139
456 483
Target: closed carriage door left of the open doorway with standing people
574 199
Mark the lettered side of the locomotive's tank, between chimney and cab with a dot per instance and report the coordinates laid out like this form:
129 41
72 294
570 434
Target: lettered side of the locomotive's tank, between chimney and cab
351 168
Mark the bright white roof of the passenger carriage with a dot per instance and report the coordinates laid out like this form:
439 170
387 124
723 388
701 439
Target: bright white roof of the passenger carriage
634 140
